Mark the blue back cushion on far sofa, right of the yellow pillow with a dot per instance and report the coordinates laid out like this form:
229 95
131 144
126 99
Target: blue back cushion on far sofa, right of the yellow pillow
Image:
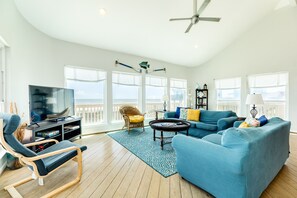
212 117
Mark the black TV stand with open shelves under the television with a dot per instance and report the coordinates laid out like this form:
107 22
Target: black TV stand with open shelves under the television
67 129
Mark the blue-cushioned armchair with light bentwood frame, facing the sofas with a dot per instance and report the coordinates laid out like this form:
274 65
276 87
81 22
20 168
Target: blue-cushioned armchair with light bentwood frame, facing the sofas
43 163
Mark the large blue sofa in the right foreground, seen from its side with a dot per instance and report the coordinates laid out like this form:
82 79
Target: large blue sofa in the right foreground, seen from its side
239 162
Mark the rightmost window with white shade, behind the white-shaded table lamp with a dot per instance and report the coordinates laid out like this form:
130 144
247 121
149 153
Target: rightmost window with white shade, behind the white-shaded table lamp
274 90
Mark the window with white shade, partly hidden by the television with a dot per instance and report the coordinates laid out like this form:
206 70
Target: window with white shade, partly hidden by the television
89 89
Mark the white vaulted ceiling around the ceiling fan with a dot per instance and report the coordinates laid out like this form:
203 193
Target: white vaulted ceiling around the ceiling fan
142 27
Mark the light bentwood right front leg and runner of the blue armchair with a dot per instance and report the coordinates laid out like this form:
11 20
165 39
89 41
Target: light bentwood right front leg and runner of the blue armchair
73 182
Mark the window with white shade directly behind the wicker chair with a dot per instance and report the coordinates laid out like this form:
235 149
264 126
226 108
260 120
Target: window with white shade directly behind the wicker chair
125 90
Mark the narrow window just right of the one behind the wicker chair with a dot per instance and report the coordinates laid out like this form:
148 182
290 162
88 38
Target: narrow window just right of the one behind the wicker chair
155 90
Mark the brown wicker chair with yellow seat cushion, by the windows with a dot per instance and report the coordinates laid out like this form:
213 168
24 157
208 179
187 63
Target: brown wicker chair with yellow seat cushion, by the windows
132 116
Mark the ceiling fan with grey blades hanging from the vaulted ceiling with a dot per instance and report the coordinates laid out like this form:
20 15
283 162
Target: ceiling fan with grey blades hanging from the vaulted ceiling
196 15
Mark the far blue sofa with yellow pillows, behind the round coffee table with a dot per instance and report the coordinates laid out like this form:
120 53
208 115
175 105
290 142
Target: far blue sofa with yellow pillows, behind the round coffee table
210 122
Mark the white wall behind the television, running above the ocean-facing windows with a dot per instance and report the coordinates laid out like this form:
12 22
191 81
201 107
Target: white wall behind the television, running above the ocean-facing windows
34 58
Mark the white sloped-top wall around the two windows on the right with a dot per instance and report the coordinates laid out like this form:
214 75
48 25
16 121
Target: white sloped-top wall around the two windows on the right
270 46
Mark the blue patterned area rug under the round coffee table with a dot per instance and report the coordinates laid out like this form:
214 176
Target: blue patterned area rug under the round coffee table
143 146
